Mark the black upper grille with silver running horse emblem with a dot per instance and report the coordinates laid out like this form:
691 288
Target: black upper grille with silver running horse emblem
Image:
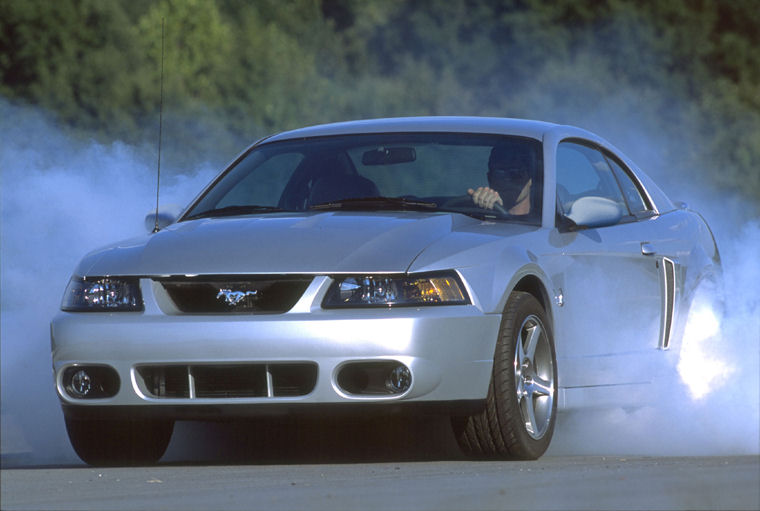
214 295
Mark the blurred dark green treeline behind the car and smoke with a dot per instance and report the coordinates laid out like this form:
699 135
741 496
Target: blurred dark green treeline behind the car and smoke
674 83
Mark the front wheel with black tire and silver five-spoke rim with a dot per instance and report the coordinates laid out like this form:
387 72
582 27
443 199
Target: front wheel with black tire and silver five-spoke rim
521 406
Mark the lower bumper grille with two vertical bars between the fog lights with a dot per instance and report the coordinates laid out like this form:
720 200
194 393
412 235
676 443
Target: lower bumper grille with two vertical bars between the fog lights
218 381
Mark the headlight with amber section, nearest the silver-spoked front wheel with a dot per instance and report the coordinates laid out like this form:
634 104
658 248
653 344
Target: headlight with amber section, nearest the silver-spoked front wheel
396 290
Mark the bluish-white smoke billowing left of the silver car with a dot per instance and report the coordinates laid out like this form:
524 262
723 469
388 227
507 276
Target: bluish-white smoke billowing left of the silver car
61 198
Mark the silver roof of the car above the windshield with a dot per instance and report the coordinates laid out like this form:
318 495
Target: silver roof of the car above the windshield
490 125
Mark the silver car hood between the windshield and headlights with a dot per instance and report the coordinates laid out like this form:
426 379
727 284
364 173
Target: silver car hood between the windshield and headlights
311 243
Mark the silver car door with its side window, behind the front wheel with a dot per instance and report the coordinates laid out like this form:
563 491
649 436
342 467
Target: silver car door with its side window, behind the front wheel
608 275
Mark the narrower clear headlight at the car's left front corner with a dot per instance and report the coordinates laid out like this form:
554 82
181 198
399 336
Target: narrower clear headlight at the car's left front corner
102 294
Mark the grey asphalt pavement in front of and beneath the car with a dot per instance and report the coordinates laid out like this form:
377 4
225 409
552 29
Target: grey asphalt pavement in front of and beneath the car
549 483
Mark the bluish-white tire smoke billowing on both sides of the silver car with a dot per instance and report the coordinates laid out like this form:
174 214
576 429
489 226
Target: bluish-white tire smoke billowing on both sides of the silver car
62 197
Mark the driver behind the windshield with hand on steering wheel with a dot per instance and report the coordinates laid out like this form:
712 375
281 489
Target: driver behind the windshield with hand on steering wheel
509 180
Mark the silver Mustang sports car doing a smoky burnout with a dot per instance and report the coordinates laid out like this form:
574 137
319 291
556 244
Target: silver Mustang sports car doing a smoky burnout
492 270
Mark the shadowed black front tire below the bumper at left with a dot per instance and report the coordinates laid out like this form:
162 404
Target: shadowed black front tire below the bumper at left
119 442
